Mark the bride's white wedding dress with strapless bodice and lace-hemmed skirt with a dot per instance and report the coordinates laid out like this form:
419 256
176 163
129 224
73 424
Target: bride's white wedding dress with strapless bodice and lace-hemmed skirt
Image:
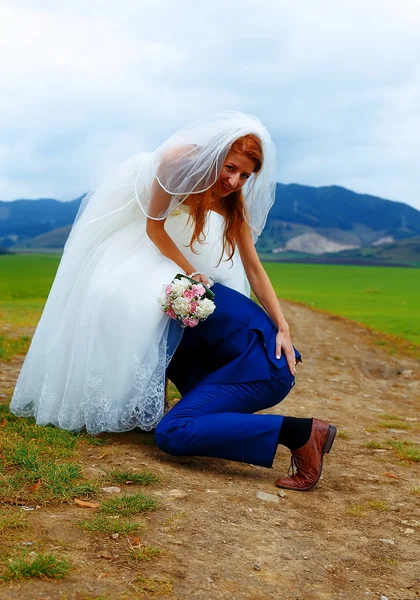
99 354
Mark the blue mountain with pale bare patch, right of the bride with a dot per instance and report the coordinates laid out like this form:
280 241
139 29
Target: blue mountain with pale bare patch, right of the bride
344 218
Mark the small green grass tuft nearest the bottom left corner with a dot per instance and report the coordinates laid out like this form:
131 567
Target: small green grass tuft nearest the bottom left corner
43 565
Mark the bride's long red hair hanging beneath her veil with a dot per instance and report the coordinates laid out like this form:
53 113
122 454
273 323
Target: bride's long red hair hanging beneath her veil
233 205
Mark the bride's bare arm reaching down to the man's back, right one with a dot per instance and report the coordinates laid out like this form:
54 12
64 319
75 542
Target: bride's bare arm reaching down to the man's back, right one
264 291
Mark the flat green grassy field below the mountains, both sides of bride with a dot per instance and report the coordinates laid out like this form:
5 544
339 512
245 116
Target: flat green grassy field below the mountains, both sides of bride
385 299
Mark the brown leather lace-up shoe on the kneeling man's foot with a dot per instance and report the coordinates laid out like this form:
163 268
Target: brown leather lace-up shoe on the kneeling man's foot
306 464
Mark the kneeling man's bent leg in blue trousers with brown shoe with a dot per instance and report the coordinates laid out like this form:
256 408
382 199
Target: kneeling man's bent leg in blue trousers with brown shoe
214 420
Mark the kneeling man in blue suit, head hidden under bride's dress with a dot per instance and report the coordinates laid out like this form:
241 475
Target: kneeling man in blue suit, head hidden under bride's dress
226 370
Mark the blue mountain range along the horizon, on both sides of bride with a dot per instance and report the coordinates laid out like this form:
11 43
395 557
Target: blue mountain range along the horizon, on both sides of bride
303 219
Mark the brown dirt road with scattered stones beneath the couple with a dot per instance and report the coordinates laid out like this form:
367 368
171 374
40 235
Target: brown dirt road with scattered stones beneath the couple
354 537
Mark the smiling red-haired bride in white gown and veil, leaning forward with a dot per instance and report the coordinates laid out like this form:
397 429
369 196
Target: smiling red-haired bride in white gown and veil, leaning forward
196 205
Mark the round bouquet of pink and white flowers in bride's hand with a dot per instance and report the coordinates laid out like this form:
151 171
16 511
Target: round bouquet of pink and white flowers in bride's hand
187 301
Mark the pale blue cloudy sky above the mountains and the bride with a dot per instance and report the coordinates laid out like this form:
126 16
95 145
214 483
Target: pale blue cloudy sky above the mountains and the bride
84 84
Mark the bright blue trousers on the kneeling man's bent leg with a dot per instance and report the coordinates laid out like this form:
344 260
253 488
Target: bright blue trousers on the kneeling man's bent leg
217 420
